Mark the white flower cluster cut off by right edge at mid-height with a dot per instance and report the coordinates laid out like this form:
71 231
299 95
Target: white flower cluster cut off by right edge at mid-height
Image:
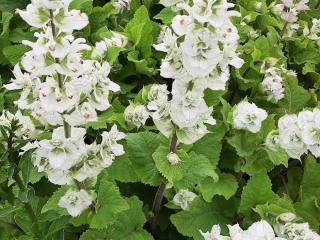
297 133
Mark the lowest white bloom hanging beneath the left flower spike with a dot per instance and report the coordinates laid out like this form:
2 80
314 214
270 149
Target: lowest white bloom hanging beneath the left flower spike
75 202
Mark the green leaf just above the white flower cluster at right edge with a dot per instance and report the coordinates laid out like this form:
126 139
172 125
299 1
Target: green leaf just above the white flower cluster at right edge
296 97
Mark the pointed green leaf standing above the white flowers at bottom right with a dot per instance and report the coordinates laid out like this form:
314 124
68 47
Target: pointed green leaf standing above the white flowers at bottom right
257 191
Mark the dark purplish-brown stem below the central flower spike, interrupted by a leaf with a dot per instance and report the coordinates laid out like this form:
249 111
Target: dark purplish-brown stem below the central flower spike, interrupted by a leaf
157 202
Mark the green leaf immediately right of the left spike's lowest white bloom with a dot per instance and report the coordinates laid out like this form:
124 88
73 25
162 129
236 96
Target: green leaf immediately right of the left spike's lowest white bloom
109 203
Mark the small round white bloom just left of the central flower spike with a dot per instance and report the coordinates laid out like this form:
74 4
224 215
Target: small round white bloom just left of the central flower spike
137 115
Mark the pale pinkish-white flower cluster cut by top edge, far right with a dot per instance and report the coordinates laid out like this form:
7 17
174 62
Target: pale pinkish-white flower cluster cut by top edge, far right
289 9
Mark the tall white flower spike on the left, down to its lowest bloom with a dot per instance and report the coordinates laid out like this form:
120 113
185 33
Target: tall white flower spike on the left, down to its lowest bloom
61 88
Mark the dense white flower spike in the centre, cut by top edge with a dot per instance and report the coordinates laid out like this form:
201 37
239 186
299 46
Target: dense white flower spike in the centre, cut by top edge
199 47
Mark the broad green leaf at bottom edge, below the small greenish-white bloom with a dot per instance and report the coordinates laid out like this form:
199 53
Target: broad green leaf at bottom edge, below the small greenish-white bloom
201 215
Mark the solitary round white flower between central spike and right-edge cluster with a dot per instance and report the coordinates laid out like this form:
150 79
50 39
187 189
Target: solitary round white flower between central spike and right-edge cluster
248 116
